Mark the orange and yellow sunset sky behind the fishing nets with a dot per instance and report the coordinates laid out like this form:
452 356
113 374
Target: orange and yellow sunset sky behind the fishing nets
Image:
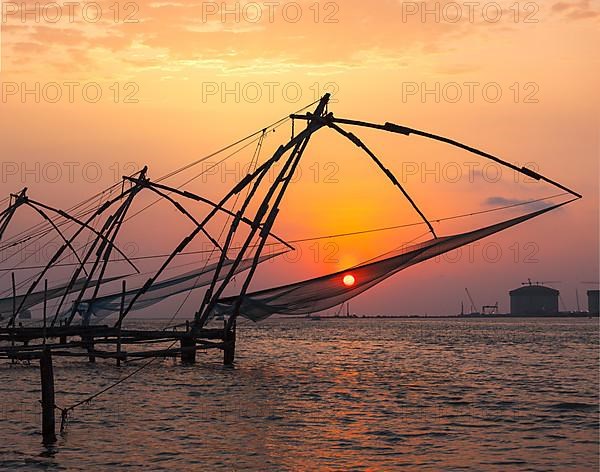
179 80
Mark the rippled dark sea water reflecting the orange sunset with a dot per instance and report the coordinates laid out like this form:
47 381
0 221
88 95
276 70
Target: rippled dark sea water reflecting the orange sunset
355 394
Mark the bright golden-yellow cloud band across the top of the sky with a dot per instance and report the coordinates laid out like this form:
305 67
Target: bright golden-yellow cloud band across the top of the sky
354 34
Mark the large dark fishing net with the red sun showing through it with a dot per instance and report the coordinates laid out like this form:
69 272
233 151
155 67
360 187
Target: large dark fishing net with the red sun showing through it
322 293
